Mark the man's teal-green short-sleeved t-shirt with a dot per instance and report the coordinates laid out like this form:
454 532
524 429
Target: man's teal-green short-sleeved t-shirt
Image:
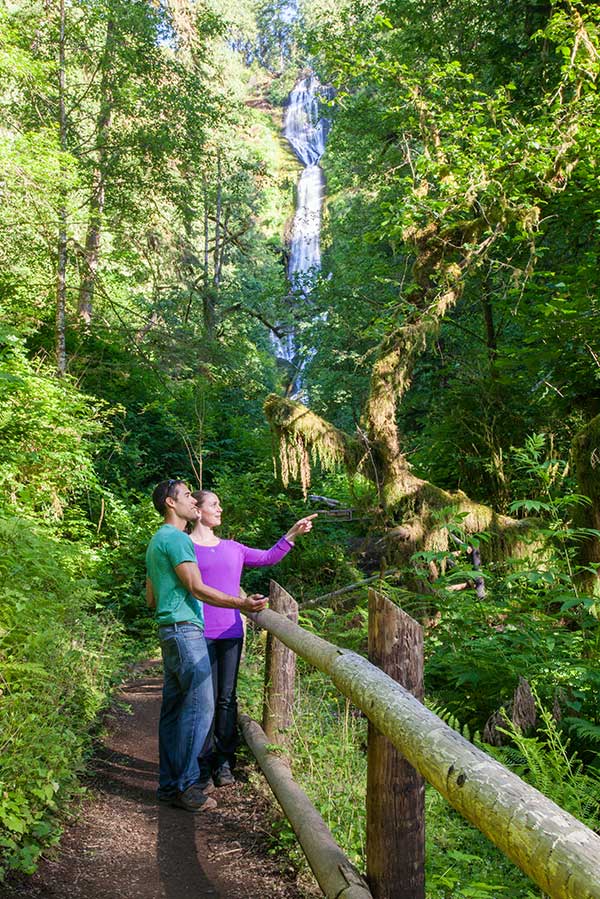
168 548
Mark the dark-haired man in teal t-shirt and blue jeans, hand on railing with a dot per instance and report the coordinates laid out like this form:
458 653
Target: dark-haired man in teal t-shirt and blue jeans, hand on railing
174 588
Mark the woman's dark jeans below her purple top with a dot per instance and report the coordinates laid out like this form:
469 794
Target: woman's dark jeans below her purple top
222 739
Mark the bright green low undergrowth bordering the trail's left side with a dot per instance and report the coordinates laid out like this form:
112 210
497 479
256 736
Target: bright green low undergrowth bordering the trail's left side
58 656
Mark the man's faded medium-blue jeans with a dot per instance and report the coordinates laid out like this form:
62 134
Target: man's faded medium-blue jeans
187 706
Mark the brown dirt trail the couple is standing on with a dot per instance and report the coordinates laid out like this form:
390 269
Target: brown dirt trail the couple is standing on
126 845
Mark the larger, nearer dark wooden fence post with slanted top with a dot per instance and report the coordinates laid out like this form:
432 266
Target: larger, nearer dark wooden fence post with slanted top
395 791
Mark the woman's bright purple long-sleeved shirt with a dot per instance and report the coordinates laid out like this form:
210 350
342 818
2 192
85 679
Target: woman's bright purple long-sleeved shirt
221 567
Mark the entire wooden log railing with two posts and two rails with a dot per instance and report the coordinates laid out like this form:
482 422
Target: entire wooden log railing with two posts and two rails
408 741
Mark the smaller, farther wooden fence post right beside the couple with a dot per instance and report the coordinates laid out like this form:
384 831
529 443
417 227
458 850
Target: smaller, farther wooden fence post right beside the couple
280 671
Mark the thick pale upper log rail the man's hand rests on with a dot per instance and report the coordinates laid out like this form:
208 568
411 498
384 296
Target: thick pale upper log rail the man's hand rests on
551 846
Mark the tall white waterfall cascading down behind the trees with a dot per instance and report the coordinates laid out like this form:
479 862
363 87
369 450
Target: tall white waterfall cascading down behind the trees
306 133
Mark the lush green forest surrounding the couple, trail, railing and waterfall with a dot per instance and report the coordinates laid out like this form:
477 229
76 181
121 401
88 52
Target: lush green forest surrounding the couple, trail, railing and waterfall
443 381
